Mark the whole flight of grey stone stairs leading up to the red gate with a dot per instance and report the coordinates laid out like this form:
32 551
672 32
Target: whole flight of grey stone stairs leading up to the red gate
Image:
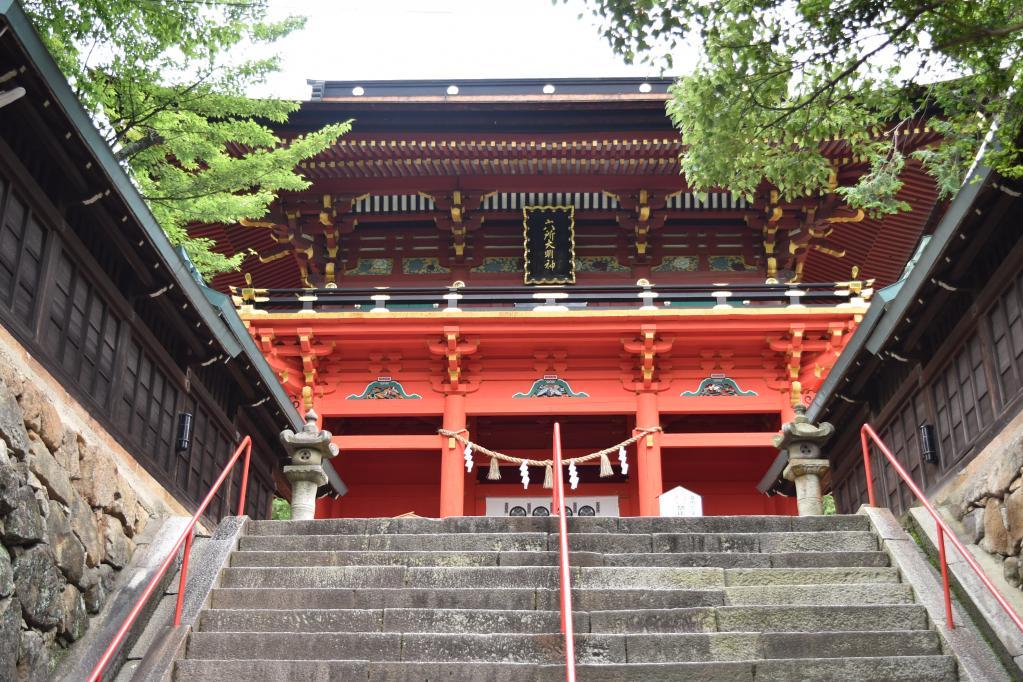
476 599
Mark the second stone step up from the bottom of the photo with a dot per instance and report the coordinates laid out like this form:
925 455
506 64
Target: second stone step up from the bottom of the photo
548 649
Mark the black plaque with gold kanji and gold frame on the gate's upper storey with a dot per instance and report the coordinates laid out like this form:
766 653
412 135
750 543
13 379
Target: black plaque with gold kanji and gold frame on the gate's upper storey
549 233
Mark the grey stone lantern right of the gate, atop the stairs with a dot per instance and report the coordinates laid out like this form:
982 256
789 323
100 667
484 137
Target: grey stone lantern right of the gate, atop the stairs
802 441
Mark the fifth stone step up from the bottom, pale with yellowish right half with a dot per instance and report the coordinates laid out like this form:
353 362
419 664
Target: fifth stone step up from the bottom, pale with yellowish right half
547 577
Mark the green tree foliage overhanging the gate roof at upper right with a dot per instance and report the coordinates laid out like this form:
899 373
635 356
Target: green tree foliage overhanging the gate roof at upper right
777 77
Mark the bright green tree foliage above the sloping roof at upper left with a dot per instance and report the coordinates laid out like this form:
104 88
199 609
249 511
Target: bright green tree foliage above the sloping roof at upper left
166 81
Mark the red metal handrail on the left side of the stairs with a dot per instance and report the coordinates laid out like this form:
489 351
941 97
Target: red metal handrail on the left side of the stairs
246 447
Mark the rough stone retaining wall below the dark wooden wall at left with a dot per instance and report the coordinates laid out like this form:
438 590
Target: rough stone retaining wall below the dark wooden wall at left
67 522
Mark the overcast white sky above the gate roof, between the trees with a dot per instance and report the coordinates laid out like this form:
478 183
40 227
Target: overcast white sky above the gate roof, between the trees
446 39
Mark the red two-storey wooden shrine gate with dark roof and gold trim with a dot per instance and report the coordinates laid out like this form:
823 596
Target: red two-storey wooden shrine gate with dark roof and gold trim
495 256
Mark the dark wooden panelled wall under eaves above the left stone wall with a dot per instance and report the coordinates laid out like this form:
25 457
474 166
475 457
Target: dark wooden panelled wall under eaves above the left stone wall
63 295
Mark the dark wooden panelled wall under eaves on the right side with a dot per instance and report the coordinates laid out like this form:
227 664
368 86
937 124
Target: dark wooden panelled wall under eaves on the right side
968 383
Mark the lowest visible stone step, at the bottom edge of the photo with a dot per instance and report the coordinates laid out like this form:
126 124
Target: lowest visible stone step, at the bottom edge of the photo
917 669
